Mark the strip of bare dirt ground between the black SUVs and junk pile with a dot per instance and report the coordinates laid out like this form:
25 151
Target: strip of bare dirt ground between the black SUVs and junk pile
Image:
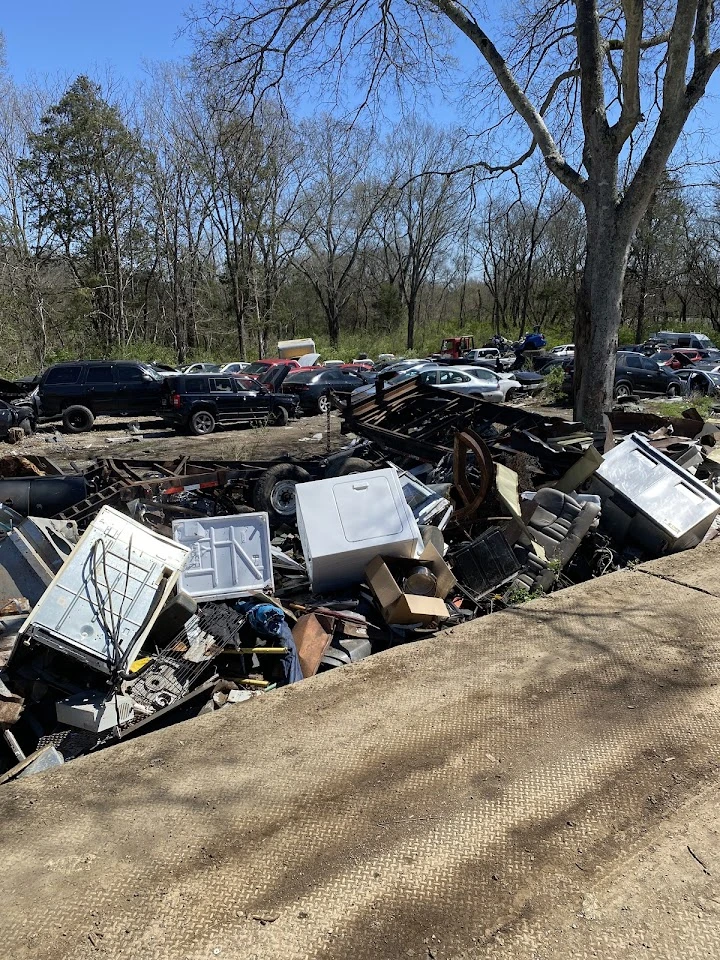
111 438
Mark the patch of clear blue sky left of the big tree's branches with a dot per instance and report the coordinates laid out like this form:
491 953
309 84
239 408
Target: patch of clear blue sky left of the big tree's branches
68 37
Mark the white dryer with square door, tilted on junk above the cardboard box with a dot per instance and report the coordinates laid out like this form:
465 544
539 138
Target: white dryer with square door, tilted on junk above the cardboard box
346 521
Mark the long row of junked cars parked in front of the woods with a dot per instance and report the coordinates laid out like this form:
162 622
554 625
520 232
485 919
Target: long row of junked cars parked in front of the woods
204 395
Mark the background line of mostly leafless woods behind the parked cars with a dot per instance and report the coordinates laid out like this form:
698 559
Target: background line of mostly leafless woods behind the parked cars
176 223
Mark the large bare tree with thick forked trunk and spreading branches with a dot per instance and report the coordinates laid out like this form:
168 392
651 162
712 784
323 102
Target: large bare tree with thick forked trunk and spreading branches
637 69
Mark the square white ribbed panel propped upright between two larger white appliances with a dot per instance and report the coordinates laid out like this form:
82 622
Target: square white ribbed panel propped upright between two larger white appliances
229 556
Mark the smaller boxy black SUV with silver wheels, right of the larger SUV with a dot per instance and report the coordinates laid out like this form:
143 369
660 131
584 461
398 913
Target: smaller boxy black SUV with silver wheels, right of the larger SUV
199 401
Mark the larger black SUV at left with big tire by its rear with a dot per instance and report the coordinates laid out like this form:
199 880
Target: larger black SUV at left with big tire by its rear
82 390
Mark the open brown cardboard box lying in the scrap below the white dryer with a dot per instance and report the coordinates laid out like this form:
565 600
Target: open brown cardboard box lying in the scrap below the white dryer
399 607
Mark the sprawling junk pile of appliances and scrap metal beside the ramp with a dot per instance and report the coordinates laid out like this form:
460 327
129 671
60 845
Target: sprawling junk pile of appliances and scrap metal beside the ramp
135 593
